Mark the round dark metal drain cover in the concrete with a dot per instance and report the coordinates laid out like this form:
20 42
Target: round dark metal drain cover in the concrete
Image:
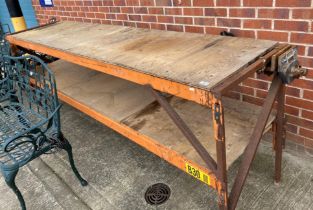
157 194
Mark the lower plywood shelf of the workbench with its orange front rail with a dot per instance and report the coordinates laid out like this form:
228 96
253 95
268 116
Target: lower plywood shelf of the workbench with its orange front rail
131 110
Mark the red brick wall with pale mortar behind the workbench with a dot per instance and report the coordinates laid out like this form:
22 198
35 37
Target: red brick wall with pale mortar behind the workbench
280 20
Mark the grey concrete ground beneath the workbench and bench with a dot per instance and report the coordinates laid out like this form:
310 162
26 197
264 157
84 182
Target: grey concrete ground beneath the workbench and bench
119 172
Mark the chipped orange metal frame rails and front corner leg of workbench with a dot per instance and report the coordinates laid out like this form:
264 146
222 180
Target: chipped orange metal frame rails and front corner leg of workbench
211 99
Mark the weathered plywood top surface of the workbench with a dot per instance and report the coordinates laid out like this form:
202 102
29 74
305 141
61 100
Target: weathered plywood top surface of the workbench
197 60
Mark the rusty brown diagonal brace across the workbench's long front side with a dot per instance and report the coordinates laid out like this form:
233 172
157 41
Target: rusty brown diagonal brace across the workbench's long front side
210 162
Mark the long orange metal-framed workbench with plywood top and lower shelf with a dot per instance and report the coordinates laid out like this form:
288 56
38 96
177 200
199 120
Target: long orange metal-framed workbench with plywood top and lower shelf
165 91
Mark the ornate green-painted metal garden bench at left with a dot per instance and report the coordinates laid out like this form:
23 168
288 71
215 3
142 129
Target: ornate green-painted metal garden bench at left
29 116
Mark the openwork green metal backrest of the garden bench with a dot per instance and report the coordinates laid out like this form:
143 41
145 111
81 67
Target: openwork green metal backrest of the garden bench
29 81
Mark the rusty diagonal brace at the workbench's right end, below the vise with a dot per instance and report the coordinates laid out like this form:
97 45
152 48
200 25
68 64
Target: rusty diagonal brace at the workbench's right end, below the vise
255 139
